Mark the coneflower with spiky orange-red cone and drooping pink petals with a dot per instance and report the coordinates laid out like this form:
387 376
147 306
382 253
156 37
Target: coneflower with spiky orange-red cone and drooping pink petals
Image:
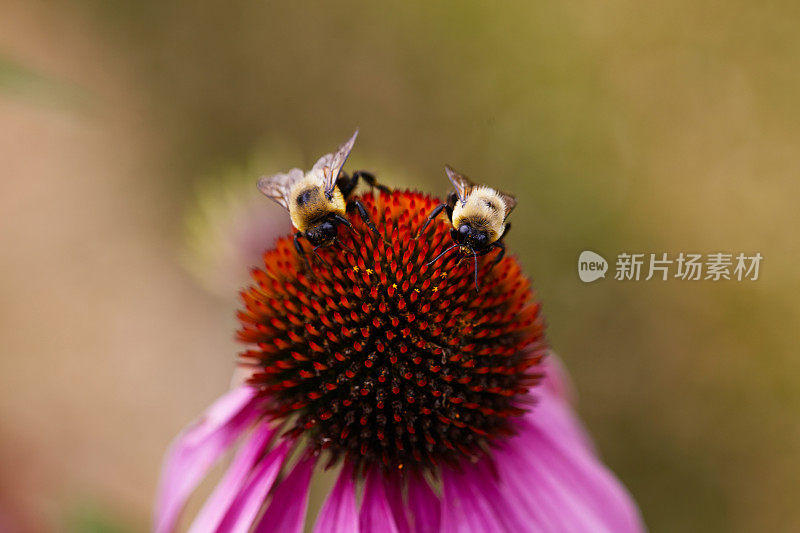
436 401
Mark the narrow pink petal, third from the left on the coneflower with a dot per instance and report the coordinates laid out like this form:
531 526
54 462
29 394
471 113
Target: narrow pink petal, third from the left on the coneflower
245 507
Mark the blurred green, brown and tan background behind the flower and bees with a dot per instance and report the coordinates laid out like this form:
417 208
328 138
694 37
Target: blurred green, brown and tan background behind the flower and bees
131 133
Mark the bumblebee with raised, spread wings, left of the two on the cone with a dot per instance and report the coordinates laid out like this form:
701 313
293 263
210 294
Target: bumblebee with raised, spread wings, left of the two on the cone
318 200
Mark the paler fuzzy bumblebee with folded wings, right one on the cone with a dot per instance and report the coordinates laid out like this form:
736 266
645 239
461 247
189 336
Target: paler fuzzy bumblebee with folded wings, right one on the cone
478 215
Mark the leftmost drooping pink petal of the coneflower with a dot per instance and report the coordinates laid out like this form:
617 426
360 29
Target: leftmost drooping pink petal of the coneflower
197 449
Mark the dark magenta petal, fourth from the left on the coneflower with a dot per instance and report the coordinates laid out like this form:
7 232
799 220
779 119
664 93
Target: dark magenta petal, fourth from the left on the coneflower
287 511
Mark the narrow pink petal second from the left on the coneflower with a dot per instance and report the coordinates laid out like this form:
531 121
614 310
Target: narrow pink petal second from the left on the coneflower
217 505
